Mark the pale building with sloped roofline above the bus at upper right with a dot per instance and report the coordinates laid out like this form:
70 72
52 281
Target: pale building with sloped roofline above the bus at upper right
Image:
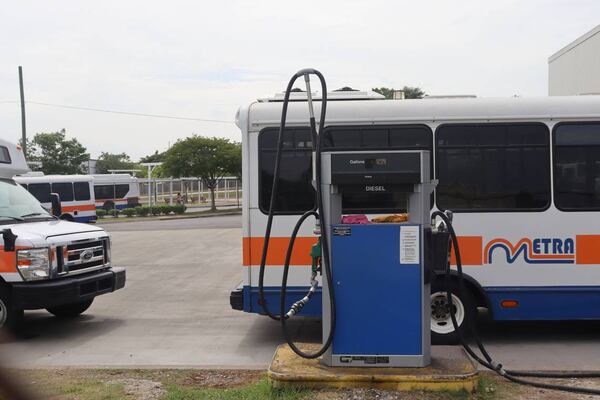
575 69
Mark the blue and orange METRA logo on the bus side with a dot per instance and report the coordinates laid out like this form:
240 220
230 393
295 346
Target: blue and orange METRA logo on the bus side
536 251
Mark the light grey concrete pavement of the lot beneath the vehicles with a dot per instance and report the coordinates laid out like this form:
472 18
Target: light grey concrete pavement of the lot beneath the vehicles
174 312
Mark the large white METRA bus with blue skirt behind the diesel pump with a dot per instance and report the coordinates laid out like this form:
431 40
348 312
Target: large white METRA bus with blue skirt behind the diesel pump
522 176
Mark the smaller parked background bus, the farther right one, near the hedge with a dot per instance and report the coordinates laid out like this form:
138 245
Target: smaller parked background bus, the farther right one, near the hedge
116 191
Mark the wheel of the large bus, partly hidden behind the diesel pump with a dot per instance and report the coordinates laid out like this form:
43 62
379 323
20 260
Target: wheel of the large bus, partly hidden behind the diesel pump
442 329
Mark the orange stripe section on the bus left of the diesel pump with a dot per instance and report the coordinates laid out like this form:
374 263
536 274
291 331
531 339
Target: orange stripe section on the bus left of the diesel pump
252 250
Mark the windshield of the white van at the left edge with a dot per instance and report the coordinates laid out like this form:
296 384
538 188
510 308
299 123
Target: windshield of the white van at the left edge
17 204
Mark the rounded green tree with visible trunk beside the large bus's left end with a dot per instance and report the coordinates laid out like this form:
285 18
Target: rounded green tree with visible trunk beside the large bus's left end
210 159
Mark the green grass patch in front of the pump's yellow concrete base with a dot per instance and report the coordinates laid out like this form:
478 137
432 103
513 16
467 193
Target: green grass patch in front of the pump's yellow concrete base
255 391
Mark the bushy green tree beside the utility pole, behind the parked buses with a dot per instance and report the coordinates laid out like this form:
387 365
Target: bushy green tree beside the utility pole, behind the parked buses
57 154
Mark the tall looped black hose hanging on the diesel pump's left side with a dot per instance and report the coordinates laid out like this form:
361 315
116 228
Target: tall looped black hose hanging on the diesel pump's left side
317 211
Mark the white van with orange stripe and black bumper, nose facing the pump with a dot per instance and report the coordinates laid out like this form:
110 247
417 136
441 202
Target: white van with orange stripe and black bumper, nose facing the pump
46 262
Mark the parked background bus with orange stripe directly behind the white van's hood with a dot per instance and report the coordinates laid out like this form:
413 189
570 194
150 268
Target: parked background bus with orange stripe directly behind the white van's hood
75 191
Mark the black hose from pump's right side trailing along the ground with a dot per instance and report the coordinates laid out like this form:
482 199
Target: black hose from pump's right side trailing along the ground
486 360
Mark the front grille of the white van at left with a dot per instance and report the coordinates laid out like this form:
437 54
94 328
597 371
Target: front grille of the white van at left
82 256
